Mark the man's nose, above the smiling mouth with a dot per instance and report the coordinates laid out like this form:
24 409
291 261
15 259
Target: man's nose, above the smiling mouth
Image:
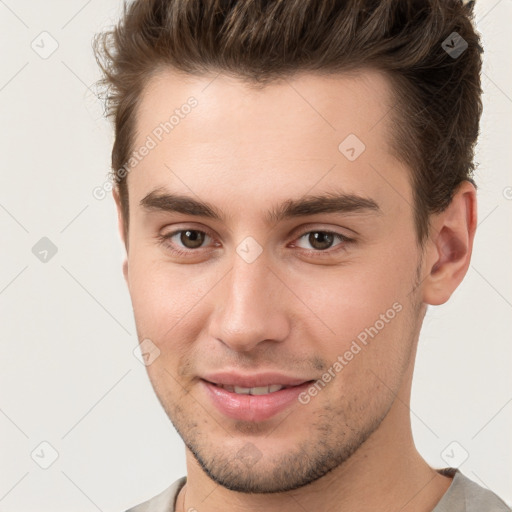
250 306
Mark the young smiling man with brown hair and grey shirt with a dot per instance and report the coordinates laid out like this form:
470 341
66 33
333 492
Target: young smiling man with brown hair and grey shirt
293 184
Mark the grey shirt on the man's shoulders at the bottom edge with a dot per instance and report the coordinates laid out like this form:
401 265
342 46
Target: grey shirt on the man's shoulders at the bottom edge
463 495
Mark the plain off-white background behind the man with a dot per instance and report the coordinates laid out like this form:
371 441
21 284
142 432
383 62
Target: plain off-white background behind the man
68 376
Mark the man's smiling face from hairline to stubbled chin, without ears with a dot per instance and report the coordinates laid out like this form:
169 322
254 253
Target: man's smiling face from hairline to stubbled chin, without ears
302 262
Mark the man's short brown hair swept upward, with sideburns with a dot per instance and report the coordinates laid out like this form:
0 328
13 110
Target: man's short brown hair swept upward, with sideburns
438 96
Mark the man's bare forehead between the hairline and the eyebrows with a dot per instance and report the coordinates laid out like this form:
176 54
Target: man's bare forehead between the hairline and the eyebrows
214 133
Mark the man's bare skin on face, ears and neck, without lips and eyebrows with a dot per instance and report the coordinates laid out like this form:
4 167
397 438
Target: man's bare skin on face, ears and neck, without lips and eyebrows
294 309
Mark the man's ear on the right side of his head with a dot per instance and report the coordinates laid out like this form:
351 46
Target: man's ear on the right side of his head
450 244
